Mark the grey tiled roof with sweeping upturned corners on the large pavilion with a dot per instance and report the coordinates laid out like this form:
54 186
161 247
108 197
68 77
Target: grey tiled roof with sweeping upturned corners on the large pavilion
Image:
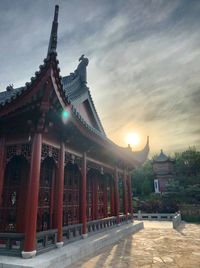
74 91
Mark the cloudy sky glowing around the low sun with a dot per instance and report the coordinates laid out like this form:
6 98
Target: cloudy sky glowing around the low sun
144 61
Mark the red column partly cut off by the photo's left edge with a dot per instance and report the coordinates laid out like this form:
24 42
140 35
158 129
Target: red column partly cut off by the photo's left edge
2 165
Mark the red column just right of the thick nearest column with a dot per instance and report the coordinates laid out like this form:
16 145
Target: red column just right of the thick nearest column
59 195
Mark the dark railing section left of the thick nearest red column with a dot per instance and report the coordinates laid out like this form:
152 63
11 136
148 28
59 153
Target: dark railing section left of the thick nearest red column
11 244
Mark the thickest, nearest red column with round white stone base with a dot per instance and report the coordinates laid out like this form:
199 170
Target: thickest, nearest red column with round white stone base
32 202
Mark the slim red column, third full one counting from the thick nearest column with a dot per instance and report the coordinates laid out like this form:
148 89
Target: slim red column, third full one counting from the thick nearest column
84 196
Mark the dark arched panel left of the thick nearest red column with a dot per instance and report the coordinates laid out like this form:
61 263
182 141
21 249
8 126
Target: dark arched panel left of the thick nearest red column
14 198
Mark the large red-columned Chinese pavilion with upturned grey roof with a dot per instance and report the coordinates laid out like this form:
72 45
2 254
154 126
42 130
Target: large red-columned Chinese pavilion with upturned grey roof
60 176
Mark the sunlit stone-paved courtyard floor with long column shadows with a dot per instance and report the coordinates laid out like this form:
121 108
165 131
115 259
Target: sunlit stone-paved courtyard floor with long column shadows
157 246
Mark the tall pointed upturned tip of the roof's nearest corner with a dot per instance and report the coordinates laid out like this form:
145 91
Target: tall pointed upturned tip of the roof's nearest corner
53 36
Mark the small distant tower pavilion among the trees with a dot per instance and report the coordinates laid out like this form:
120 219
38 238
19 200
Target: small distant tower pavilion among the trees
163 167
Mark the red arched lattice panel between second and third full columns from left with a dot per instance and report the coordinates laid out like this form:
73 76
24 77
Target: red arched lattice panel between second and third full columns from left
71 204
